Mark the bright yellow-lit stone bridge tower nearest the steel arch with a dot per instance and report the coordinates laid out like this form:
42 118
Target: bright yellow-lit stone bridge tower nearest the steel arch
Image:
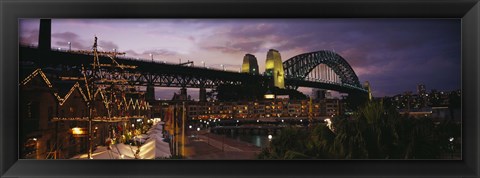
274 68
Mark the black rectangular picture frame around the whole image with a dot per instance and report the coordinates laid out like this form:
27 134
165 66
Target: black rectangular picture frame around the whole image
467 10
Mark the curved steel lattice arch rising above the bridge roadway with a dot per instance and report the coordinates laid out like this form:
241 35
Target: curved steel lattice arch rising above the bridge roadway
298 67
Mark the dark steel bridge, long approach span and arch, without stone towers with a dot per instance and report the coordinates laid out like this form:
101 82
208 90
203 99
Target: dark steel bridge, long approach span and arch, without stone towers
171 75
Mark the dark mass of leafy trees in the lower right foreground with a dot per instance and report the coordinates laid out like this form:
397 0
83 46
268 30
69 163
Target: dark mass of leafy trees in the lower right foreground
373 132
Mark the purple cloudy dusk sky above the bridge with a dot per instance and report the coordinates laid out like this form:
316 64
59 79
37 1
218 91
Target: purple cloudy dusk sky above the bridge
394 55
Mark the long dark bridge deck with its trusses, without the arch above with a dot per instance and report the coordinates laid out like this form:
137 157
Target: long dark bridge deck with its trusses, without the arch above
180 74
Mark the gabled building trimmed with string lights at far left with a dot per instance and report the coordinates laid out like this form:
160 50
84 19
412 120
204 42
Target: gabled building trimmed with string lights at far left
50 109
